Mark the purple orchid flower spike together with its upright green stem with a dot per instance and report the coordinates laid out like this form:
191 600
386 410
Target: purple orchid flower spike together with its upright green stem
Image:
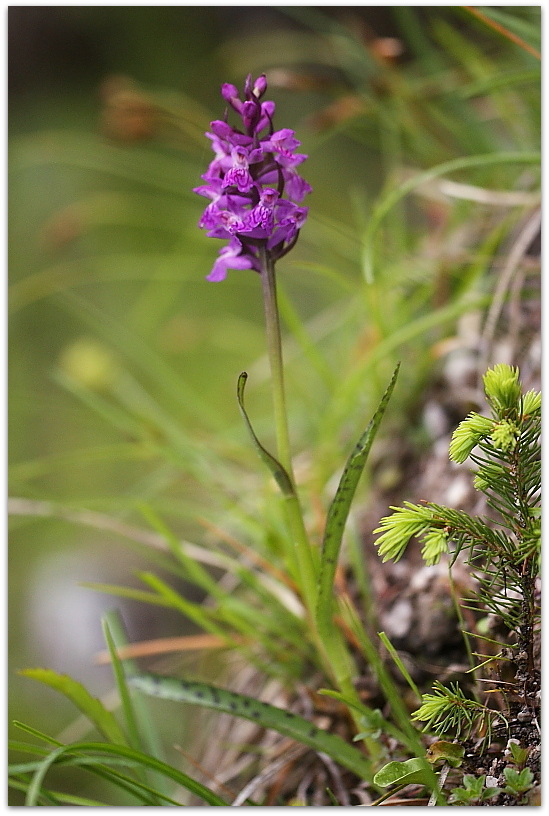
255 203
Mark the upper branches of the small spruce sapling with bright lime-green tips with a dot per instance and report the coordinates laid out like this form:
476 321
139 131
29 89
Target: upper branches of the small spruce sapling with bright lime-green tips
509 474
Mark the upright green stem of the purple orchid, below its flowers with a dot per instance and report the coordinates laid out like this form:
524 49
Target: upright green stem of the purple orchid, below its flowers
303 555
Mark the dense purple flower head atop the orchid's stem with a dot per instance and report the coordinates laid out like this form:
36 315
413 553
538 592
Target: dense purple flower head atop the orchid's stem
254 188
